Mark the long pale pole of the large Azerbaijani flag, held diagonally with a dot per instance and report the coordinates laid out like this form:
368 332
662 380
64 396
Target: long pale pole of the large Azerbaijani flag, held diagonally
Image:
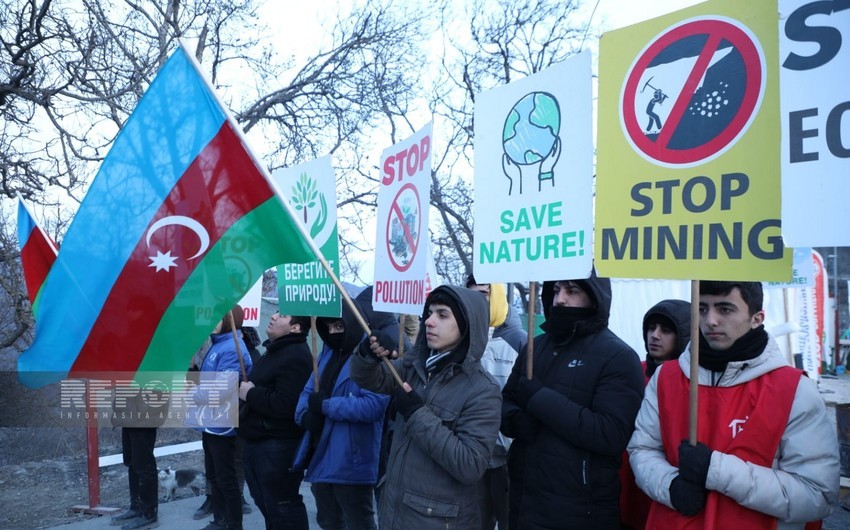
265 172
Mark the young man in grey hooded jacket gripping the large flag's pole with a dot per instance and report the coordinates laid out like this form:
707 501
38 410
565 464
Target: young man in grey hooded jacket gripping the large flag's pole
448 414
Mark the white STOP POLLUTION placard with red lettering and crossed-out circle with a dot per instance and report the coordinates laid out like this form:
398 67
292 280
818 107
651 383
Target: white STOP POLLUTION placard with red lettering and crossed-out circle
401 242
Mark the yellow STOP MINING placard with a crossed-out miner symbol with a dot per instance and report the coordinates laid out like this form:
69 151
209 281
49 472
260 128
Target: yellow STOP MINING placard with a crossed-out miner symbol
688 178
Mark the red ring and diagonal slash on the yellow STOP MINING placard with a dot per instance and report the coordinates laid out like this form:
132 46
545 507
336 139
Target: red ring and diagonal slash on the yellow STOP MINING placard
716 31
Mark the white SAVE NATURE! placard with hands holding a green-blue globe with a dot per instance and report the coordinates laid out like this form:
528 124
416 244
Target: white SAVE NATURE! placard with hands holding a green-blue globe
533 176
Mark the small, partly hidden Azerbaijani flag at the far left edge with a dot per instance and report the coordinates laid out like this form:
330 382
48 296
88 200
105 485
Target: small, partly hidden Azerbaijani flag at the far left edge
38 251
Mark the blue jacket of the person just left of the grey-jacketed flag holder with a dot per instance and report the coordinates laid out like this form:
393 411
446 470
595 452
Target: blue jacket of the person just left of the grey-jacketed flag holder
347 452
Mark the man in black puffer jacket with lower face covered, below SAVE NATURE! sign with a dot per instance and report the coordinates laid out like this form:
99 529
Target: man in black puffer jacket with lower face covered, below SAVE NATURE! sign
573 419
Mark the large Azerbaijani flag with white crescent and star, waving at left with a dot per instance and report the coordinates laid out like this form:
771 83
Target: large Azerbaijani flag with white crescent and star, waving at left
177 225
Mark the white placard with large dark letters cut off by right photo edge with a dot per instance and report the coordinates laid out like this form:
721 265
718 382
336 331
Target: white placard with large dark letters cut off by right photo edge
814 48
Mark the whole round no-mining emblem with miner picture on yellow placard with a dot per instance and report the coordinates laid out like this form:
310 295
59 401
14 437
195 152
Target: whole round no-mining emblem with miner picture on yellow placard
693 91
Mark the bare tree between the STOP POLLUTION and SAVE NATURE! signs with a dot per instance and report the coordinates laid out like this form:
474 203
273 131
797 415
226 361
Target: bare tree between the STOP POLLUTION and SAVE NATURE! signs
503 41
